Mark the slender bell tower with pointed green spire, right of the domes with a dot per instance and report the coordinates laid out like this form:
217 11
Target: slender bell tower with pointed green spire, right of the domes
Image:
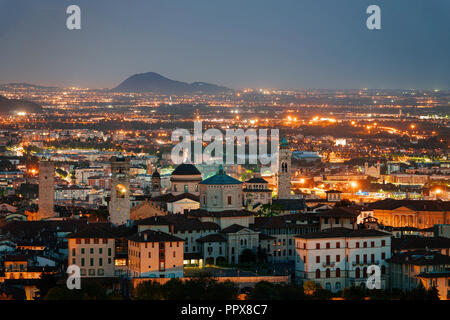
284 170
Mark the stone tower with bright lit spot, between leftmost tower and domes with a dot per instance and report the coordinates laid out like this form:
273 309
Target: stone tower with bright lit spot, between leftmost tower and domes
119 206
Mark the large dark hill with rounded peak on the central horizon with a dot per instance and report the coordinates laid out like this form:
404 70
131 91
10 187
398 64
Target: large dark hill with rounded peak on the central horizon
156 83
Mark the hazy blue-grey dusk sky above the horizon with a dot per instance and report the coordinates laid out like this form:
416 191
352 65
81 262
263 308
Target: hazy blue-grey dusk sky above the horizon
236 43
